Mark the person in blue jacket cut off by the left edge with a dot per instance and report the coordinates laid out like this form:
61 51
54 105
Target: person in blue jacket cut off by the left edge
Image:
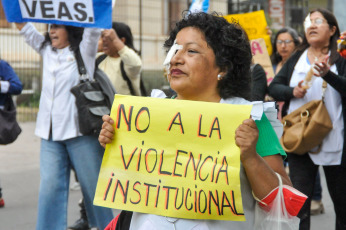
10 84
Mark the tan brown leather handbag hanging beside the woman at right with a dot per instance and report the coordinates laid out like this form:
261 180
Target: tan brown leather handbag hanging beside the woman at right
306 127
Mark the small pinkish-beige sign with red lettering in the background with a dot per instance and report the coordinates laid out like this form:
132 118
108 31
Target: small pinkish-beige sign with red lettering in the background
261 56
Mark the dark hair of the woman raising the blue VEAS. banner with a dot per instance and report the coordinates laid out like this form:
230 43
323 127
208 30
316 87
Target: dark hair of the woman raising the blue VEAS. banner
75 35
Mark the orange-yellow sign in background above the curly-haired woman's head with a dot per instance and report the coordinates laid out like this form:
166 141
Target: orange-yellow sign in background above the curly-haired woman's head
254 23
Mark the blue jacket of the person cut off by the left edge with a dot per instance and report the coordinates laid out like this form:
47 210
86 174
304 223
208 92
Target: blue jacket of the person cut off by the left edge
7 74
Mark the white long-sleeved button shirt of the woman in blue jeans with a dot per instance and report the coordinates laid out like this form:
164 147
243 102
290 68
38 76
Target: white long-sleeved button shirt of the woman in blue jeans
60 73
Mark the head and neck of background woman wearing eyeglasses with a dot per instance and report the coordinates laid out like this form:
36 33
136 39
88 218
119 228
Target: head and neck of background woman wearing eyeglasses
285 43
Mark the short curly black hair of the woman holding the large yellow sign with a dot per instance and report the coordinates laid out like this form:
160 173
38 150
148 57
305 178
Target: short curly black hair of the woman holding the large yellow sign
231 47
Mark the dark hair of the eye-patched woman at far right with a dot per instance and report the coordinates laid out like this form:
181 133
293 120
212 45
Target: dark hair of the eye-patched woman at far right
331 20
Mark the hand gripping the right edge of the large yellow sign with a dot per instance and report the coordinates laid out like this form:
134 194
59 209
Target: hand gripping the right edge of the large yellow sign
246 136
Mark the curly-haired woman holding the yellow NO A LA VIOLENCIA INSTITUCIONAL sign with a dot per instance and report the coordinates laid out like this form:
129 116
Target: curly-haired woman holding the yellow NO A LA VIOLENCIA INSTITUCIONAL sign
209 60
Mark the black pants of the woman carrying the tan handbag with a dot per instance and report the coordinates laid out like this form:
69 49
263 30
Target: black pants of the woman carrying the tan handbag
303 173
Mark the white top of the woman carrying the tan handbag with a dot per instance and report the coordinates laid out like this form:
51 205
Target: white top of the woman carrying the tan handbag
332 144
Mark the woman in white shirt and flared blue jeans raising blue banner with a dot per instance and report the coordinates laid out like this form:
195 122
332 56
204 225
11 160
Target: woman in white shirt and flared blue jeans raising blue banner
62 144
